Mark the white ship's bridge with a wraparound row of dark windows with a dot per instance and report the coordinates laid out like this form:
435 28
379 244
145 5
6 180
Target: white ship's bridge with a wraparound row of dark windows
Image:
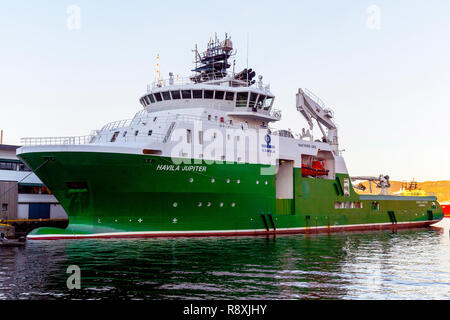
234 97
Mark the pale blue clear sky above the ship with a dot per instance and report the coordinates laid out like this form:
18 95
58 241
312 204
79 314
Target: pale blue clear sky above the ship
385 73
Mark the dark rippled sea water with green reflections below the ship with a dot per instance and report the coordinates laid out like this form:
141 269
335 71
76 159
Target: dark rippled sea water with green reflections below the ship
409 264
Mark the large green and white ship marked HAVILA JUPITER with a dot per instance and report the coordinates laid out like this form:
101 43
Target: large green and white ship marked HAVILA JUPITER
201 158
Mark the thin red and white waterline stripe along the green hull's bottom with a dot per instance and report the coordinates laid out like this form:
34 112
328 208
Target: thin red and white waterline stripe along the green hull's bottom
310 230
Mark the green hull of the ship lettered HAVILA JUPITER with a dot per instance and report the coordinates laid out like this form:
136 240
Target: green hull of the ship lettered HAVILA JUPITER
129 195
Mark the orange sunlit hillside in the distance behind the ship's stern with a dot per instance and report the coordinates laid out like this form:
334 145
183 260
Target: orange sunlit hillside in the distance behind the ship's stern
441 189
